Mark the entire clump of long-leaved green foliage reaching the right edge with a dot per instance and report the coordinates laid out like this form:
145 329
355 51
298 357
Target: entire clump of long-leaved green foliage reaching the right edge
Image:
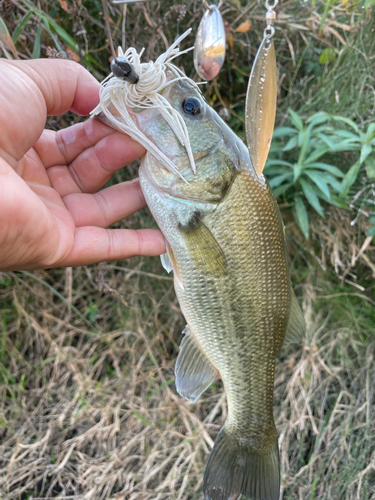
297 170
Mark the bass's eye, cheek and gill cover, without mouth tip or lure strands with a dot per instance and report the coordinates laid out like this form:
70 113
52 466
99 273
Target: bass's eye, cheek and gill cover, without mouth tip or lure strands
216 153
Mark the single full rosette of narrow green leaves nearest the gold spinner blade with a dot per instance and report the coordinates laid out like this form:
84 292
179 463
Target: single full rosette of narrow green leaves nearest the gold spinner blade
296 170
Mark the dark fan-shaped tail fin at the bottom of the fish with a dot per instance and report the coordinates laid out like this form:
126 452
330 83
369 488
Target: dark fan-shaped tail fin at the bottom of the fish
233 470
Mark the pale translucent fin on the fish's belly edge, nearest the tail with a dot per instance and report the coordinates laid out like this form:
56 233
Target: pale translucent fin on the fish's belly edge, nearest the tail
194 373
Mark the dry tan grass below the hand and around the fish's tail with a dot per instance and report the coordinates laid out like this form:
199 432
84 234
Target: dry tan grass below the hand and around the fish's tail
91 412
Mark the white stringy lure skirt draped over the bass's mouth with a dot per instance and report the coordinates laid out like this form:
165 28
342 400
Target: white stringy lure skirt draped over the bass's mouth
154 77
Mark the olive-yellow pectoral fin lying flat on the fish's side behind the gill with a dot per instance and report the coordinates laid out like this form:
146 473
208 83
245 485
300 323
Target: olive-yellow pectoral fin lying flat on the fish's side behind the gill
203 246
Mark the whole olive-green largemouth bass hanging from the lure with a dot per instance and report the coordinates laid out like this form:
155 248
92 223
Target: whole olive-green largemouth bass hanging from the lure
226 246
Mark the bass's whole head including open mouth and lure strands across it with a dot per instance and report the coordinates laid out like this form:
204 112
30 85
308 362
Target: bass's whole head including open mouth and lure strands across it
201 154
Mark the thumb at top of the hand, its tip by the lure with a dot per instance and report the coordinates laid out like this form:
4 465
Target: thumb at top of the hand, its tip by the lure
31 90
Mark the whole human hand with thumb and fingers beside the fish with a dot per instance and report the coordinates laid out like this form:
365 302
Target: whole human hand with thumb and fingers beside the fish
50 211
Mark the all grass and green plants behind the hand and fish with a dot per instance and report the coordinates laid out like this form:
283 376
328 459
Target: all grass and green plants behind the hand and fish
88 405
